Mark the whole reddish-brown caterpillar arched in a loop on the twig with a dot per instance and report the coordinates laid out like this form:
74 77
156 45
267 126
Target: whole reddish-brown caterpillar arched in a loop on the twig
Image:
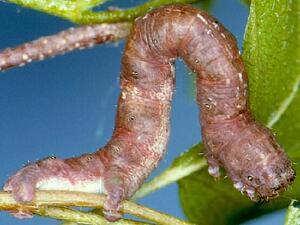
248 151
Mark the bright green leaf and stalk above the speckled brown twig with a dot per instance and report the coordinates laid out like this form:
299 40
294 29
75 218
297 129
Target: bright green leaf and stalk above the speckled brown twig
77 11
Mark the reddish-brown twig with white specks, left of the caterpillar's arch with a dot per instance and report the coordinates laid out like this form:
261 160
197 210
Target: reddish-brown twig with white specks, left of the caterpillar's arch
65 41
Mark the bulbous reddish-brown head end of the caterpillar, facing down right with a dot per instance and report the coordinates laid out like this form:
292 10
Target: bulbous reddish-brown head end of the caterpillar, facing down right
258 165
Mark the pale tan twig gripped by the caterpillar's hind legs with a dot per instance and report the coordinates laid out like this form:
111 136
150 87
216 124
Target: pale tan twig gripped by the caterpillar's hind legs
65 198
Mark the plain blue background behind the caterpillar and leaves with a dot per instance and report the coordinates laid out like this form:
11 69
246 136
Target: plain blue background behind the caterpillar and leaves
66 105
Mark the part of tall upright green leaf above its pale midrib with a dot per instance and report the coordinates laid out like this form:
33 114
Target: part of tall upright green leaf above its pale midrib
271 54
